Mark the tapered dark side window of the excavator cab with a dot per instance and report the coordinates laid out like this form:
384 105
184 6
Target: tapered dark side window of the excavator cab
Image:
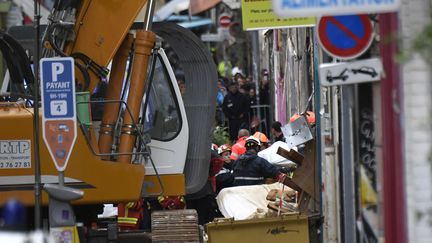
162 114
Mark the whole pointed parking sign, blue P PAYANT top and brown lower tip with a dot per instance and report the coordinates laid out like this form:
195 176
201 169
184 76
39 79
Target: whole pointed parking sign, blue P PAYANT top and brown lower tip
59 110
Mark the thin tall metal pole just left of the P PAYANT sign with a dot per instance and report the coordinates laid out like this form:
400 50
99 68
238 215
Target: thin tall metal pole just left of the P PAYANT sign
37 185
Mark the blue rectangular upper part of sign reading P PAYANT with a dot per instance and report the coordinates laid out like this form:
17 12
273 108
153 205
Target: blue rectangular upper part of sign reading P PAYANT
58 88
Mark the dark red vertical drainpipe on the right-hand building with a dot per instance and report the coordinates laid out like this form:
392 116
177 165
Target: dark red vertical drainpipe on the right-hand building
395 229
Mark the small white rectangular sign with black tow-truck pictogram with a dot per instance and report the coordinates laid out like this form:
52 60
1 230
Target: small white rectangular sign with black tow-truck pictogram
362 71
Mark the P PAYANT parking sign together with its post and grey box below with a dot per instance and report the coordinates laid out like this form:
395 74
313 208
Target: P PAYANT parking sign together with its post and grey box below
59 133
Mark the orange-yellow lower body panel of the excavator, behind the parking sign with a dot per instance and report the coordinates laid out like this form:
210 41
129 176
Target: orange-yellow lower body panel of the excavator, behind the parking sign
101 181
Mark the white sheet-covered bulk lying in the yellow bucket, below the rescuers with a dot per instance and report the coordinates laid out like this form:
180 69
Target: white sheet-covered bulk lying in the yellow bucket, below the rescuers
242 202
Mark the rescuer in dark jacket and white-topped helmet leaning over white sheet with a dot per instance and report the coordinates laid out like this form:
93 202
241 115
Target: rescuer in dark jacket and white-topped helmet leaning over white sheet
250 169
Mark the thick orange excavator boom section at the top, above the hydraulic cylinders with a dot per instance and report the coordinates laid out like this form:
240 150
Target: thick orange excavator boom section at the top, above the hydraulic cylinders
99 32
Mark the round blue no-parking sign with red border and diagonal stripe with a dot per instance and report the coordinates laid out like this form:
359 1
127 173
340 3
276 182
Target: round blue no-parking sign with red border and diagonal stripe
345 37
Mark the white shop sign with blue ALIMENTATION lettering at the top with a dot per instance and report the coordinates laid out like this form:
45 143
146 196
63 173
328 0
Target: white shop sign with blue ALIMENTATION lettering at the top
318 8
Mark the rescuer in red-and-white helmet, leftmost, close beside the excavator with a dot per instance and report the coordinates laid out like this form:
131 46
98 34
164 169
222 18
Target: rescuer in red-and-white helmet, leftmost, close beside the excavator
224 178
